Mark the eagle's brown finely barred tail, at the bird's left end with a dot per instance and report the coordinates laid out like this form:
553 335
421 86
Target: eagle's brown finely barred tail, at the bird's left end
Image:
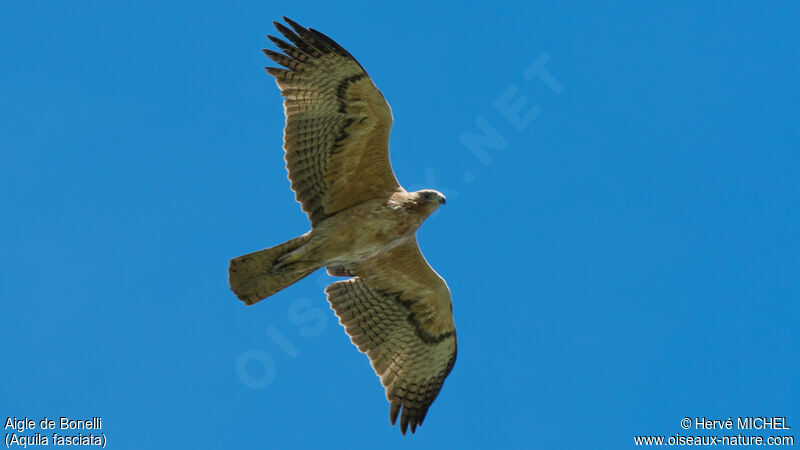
256 276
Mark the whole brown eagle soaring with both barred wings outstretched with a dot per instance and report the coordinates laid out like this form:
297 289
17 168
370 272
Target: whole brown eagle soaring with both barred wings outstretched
394 306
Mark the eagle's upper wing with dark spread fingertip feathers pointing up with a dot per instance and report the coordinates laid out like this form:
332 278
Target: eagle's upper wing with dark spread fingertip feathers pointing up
337 124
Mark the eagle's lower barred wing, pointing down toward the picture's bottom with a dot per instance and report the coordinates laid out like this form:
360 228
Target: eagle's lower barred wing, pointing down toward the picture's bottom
398 311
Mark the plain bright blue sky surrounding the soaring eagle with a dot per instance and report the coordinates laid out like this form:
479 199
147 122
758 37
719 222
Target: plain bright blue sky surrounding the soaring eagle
623 259
